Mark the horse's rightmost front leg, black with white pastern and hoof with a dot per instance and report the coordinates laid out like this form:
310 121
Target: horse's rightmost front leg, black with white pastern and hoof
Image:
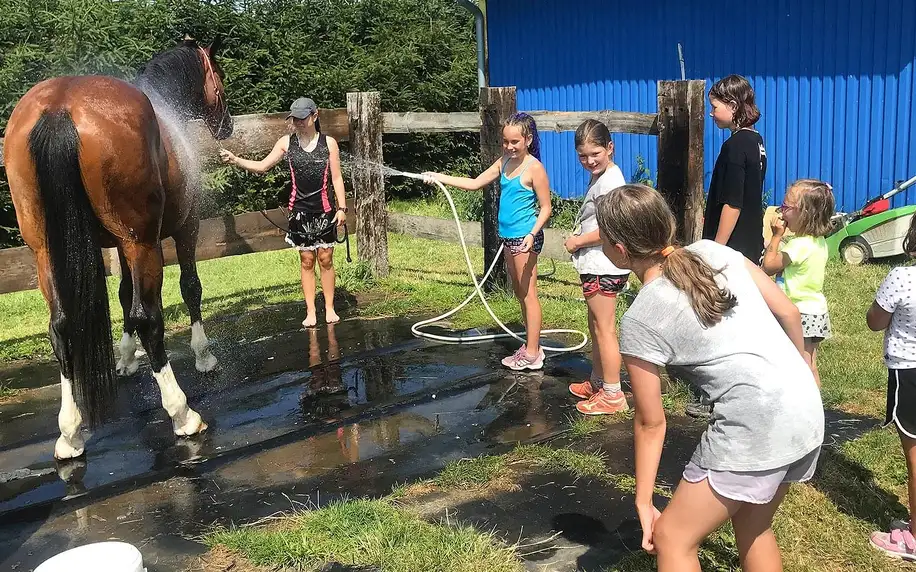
192 292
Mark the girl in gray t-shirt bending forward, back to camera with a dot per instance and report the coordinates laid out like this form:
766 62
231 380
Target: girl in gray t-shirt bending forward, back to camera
710 316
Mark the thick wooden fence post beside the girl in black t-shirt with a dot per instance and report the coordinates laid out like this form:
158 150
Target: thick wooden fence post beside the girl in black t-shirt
681 113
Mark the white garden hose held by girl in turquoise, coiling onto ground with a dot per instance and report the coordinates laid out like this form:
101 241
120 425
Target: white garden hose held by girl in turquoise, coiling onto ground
416 328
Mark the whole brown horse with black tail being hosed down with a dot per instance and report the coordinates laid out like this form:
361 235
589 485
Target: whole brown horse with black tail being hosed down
97 162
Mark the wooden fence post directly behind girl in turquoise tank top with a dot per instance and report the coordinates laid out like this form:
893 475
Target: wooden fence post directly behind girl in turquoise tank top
497 104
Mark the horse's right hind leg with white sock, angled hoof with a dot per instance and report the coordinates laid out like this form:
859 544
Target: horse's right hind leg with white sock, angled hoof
145 263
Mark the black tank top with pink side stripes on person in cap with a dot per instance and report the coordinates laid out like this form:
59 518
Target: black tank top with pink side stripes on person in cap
309 176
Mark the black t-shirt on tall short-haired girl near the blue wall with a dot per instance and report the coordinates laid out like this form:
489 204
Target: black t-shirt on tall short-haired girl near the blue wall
737 181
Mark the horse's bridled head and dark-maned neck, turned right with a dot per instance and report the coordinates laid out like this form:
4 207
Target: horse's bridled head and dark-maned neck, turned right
189 81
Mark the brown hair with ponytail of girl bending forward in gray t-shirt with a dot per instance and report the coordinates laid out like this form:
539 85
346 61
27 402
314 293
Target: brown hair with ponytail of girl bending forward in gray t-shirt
638 218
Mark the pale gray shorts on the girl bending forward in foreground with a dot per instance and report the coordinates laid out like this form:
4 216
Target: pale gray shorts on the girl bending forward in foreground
755 487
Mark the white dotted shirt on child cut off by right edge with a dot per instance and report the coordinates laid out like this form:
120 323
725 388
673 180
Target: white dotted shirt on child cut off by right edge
897 295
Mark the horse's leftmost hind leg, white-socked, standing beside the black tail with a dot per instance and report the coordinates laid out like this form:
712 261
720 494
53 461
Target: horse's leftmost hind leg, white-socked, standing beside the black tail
70 444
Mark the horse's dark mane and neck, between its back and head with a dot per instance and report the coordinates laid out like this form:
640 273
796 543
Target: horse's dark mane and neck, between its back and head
175 78
